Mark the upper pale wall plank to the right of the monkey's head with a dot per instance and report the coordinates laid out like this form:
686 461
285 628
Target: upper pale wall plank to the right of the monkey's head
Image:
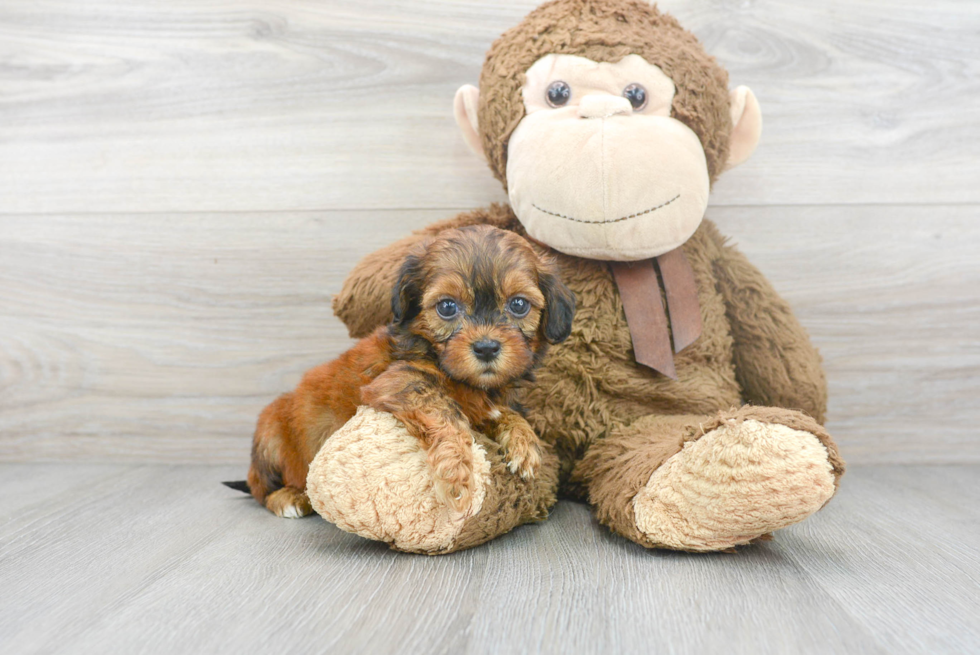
859 99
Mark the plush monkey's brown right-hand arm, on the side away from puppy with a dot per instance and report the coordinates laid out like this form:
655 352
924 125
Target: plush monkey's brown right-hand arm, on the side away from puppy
775 363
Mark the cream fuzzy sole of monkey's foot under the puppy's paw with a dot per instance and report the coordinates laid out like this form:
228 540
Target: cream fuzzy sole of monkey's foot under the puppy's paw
372 478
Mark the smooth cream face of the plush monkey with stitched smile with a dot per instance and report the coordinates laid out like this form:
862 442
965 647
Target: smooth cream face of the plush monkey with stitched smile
598 167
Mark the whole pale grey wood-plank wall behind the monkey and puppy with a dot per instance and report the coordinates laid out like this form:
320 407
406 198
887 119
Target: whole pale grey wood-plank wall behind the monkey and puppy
183 186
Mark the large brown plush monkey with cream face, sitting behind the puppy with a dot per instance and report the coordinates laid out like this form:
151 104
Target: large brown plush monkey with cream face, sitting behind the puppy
687 405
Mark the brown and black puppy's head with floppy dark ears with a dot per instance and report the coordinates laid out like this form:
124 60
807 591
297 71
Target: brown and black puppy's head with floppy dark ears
486 302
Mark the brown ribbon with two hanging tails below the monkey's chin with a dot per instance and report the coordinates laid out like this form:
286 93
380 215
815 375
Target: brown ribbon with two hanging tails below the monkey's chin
640 291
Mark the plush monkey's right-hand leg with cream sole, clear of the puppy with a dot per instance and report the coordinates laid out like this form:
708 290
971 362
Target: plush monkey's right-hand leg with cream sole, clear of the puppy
707 483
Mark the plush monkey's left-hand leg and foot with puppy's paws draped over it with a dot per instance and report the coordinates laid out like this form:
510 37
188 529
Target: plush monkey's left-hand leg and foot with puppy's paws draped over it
373 478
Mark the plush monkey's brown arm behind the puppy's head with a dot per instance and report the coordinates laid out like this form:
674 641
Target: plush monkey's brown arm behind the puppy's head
364 301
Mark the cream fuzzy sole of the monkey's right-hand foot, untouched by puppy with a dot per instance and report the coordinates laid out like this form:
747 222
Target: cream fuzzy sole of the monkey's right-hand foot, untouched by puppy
736 483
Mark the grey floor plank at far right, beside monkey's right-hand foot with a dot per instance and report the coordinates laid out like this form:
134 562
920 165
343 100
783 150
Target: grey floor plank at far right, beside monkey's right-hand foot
913 531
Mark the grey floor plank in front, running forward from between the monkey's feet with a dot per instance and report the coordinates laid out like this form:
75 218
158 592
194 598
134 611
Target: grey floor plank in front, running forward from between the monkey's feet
585 590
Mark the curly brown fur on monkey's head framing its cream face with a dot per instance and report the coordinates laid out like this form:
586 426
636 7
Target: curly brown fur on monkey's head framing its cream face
604 31
